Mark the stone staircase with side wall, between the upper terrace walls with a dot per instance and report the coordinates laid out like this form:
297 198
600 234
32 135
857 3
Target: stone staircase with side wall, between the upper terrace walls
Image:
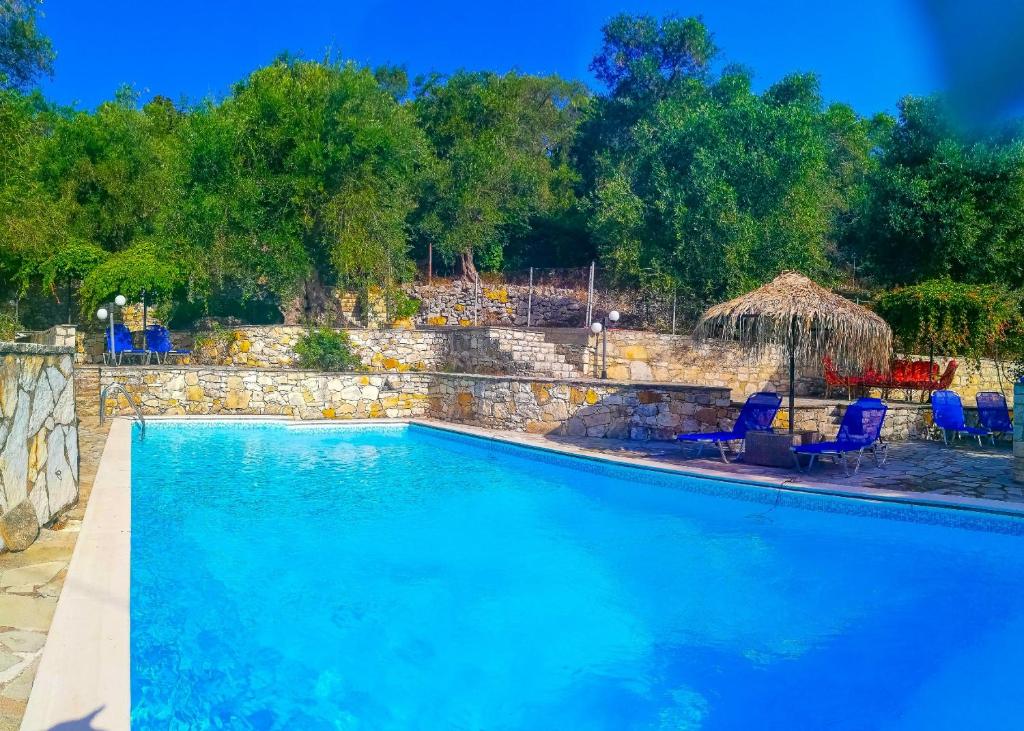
509 352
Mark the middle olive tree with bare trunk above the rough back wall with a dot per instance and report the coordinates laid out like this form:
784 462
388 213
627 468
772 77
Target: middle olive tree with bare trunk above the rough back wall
502 150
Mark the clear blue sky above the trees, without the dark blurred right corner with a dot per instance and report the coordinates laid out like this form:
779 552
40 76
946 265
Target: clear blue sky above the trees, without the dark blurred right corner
868 54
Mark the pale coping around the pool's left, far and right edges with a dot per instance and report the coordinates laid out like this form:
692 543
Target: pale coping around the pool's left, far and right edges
87 663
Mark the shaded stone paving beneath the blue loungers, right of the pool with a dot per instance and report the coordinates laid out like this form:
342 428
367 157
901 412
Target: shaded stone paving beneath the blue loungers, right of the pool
924 467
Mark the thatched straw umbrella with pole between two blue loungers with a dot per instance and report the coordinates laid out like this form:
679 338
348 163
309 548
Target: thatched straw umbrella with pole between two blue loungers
807 321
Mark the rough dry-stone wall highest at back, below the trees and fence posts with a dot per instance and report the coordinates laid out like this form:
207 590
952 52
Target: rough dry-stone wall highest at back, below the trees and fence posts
457 303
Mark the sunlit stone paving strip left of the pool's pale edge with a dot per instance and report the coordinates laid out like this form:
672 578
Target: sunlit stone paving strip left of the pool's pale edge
30 584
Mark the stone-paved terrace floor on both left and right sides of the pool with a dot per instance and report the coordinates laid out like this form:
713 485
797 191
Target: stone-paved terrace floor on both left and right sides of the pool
31 581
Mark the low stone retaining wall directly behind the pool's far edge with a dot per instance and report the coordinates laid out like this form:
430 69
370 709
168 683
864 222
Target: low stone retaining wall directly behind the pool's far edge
540 406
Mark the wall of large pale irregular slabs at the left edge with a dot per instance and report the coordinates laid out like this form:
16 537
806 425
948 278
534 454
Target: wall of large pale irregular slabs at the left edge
38 440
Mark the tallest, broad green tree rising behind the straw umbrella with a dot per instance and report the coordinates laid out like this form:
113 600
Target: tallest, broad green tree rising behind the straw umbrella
714 190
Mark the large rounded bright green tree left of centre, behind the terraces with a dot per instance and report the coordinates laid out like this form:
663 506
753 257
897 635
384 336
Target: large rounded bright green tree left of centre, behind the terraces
304 178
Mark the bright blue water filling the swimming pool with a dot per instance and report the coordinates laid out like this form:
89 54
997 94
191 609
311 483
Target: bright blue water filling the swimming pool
403 579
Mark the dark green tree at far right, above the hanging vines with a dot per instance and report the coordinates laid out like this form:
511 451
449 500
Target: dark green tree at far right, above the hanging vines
945 202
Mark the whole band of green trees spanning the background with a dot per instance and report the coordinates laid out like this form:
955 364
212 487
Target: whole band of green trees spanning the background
678 174
